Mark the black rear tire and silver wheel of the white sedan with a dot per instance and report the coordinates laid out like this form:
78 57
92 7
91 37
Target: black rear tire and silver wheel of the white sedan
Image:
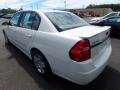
41 63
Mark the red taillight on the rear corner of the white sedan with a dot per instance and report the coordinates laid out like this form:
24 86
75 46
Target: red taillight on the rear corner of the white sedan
80 51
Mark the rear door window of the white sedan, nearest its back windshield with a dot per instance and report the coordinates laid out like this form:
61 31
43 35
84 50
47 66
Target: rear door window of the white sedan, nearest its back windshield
30 20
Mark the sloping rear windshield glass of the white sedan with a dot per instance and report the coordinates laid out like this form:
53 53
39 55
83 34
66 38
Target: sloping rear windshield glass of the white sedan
65 20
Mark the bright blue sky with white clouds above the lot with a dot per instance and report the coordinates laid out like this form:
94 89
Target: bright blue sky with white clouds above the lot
38 4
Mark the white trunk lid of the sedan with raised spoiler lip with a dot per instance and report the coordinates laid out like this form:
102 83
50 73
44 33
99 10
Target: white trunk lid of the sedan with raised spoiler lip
96 35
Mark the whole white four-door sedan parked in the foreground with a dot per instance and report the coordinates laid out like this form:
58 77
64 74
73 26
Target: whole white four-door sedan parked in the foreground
60 42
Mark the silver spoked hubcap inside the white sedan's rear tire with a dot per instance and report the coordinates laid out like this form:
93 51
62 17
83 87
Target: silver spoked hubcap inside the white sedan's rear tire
39 63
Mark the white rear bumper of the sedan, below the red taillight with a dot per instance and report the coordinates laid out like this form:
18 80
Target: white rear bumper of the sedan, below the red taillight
92 70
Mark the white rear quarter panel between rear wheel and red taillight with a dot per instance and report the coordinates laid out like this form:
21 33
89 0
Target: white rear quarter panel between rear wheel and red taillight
55 48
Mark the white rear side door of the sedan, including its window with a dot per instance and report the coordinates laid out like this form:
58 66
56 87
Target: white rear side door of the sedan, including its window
28 27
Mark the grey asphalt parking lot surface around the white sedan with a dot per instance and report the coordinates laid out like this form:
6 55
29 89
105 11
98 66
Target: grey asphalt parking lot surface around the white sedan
18 73
